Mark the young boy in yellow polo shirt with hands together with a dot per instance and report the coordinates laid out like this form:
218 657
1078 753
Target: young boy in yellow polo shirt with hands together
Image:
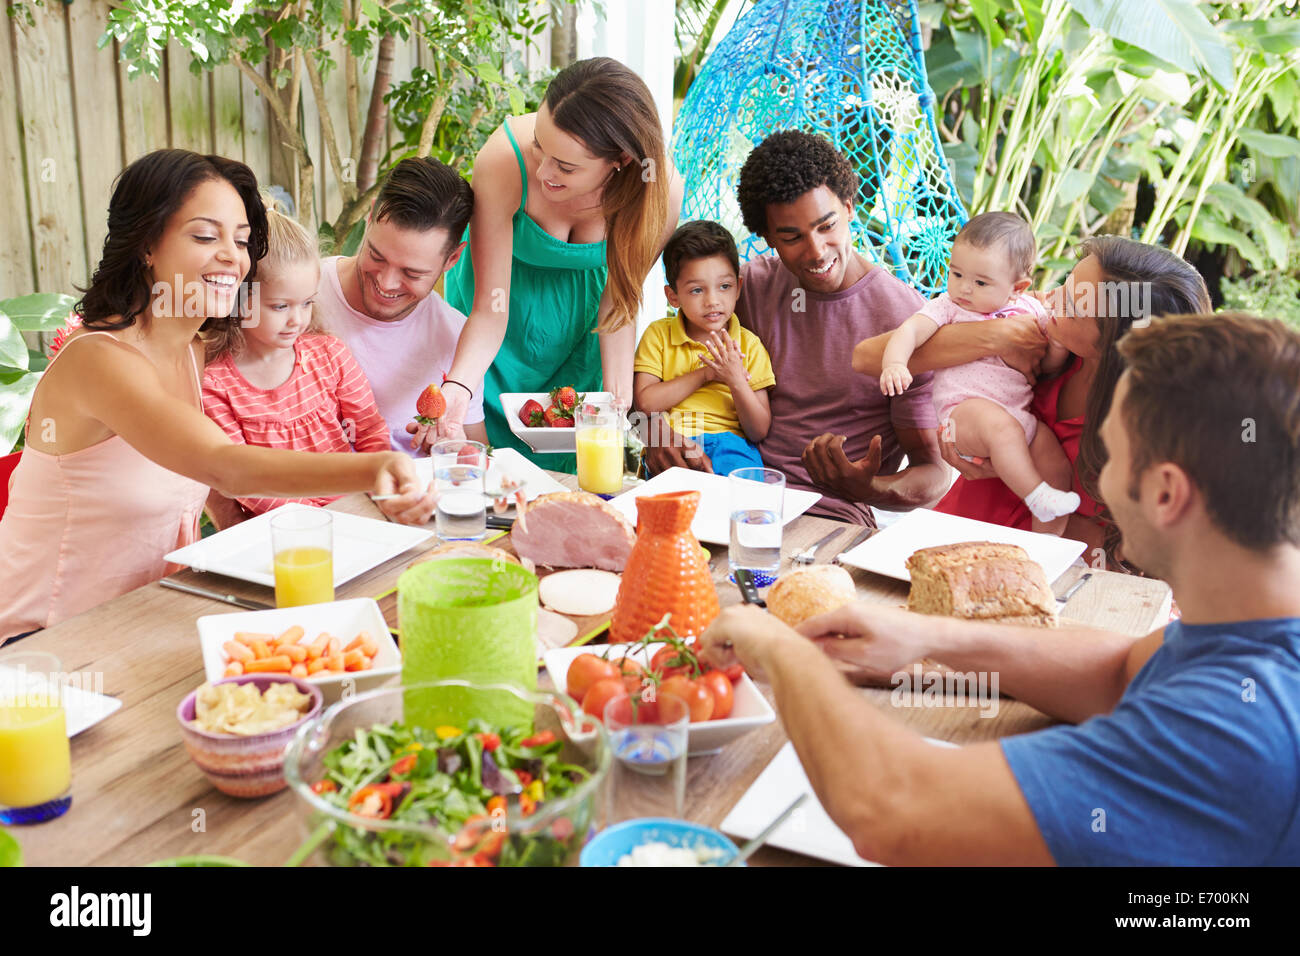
701 365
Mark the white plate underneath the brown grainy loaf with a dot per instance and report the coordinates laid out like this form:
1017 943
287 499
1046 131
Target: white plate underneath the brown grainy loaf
887 552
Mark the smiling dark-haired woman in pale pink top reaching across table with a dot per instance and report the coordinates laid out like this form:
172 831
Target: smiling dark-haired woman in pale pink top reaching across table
118 451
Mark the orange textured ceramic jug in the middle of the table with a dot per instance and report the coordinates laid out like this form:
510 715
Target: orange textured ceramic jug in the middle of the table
668 573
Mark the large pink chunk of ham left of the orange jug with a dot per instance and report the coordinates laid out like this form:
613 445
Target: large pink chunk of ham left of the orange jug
574 530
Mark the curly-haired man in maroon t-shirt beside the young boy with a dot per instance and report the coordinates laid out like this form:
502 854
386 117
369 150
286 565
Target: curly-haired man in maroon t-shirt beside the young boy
833 430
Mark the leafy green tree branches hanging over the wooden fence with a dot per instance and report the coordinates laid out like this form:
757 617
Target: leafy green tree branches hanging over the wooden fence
474 46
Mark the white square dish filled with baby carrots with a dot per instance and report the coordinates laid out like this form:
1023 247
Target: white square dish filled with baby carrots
337 646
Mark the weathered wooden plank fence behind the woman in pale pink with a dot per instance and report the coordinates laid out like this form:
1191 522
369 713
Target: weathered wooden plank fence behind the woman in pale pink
71 120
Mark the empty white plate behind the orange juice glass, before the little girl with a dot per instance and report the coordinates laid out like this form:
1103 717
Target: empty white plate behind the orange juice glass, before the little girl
244 551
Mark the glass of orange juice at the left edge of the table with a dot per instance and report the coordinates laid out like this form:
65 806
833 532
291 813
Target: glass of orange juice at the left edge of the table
36 758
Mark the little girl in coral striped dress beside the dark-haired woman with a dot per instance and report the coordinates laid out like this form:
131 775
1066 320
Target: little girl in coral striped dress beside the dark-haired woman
279 380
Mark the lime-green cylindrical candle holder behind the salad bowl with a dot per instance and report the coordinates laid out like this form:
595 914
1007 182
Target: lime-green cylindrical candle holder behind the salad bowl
470 620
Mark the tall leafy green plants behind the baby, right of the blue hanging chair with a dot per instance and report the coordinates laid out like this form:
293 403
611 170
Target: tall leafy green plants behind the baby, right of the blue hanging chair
1067 110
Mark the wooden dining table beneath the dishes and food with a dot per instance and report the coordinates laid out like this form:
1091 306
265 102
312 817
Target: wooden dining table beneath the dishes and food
138 798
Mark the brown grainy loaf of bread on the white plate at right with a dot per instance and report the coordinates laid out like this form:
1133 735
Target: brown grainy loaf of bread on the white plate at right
981 581
